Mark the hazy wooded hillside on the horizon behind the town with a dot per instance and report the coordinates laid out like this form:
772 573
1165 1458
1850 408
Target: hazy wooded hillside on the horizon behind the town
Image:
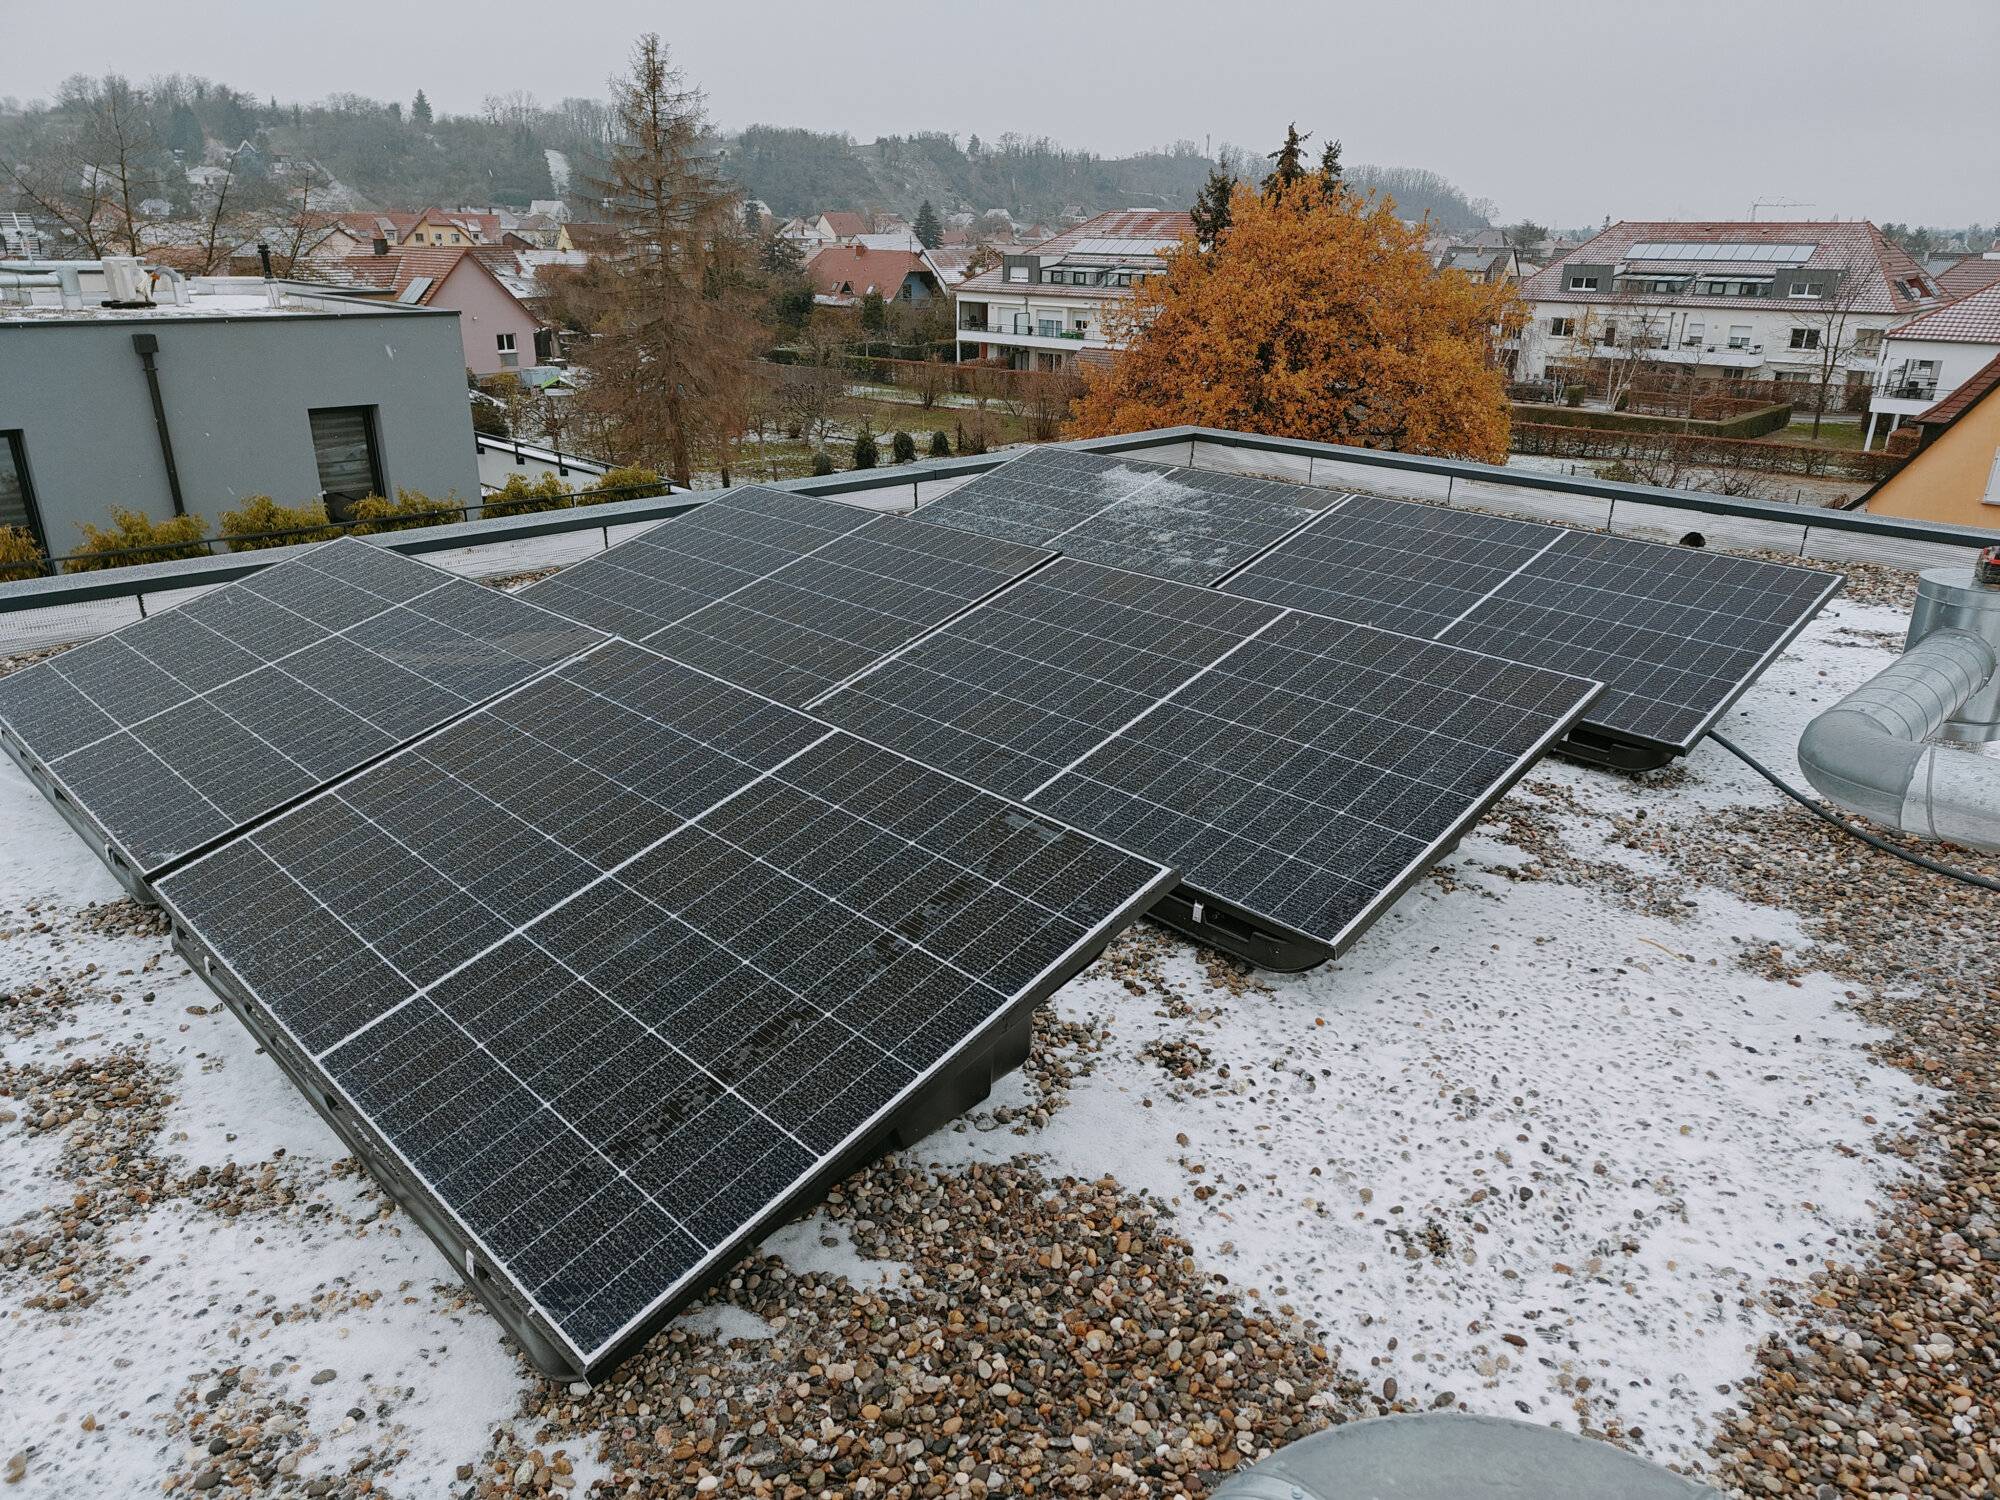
389 155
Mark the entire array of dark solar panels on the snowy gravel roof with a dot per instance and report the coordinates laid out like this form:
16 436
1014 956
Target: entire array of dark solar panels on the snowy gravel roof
607 955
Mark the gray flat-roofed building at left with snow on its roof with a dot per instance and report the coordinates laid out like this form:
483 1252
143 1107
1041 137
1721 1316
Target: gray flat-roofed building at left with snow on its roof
241 387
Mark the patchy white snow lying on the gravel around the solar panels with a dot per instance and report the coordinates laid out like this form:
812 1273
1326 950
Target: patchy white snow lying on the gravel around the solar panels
1537 1147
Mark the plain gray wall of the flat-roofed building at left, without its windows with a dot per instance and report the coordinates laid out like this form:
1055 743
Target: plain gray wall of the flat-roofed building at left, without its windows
237 393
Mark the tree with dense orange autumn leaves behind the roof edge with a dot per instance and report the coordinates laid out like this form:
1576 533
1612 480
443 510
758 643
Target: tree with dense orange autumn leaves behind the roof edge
1315 315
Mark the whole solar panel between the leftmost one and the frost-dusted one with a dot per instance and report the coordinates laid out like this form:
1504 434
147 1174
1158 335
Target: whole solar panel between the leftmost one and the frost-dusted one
781 593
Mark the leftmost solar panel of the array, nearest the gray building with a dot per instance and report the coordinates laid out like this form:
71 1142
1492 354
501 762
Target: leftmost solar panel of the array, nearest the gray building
183 729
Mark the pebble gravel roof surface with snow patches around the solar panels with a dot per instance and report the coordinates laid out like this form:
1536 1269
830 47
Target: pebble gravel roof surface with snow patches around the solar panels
1659 1113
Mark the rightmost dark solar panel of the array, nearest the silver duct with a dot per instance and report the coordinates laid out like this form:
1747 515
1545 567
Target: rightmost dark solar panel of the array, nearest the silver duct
1675 633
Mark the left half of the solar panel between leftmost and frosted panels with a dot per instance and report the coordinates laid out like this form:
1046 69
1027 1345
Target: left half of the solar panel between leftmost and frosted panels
695 559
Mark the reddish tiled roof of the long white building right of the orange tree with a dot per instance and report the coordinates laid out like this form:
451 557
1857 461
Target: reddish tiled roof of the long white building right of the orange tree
1873 263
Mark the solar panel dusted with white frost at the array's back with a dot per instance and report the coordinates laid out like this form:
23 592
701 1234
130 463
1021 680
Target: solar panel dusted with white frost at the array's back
1171 523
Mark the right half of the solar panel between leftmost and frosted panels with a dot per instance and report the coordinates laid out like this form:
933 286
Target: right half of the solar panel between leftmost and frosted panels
825 617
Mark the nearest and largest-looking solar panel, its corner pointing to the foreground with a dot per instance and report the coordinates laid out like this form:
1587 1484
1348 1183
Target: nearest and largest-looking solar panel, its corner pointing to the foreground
619 973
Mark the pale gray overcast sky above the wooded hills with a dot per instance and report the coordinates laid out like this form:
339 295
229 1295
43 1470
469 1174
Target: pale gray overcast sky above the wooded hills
1557 111
